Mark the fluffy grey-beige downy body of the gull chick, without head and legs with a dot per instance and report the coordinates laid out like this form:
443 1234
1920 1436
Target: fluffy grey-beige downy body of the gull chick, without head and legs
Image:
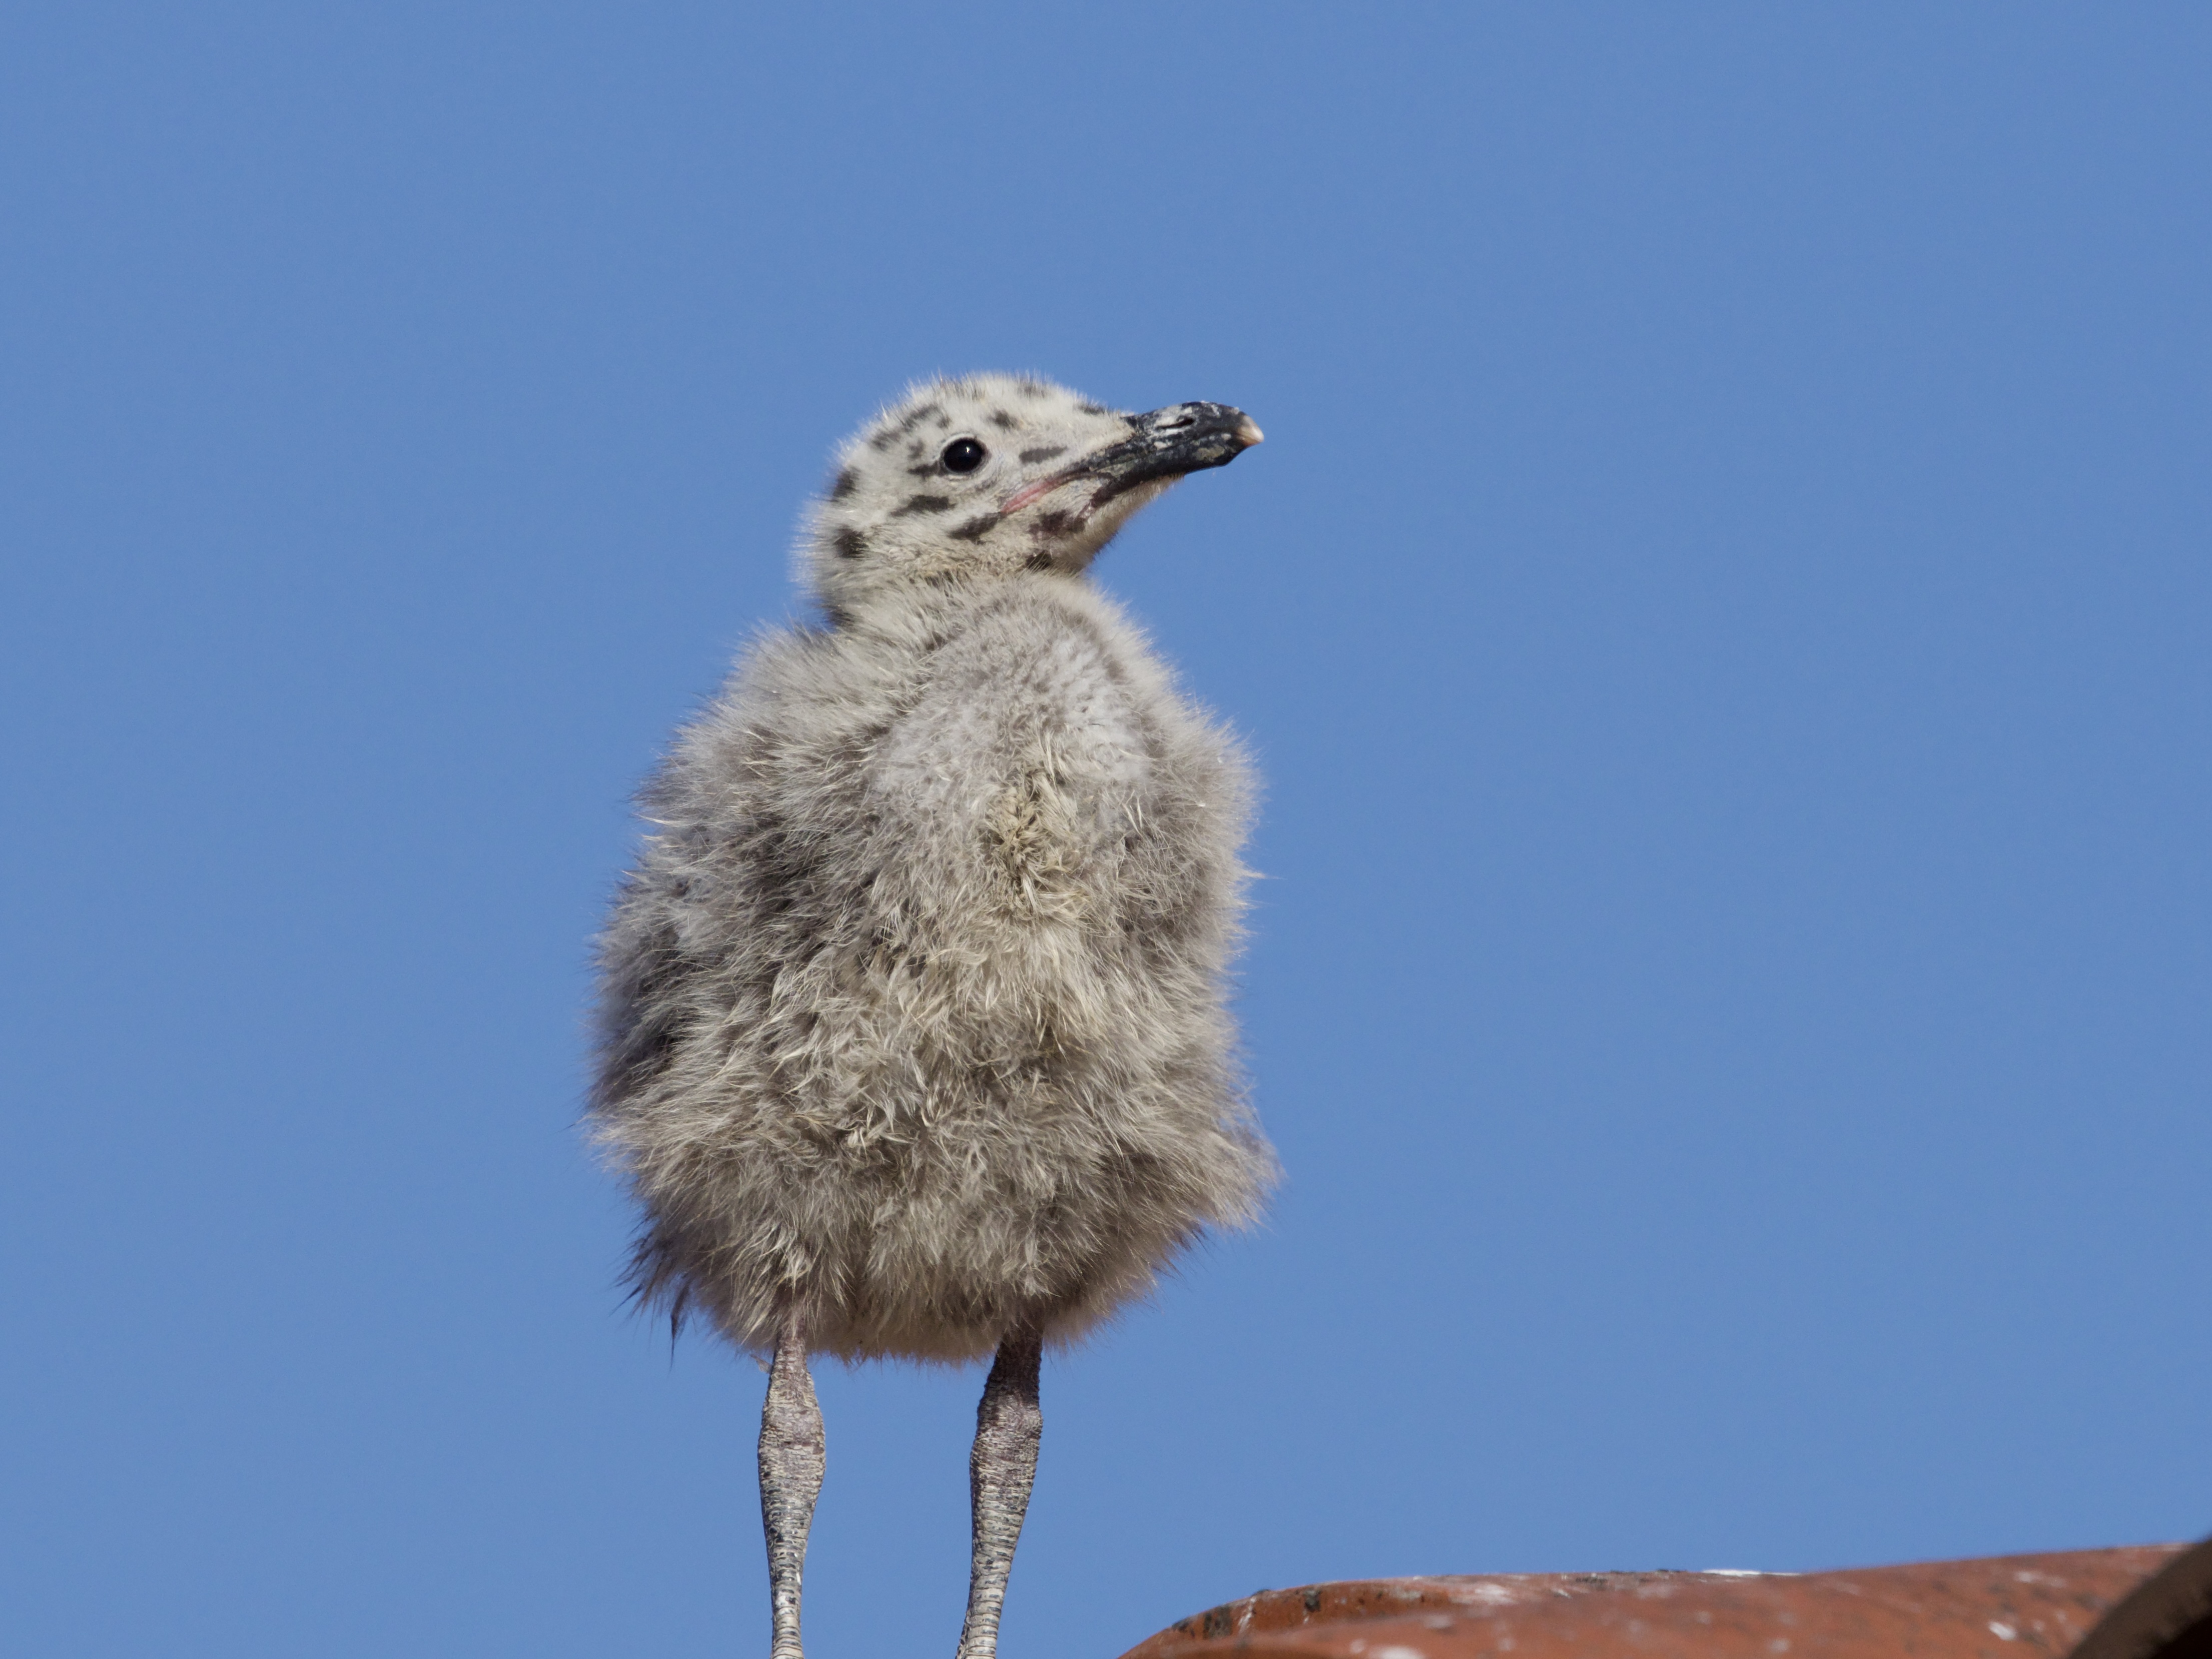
915 1008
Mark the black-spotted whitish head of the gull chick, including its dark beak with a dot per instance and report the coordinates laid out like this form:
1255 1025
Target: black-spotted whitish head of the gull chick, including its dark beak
997 477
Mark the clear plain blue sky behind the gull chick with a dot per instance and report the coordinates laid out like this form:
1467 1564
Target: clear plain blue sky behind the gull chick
1722 609
